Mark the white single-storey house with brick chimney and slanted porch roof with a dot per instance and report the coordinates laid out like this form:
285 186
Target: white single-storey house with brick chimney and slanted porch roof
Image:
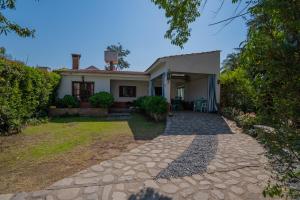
188 76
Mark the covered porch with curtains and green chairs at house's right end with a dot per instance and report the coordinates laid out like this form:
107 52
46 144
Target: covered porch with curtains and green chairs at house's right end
184 91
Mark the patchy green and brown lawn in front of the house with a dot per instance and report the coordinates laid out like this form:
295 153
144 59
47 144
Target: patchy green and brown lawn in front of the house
43 154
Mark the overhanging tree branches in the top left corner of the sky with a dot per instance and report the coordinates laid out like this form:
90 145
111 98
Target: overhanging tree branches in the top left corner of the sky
7 26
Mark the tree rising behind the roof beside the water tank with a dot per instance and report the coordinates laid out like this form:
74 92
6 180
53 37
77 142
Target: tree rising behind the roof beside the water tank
122 53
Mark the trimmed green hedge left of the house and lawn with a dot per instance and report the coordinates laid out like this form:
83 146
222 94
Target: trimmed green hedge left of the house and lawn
25 93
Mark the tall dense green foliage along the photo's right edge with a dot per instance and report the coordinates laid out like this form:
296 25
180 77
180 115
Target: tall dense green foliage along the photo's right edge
271 57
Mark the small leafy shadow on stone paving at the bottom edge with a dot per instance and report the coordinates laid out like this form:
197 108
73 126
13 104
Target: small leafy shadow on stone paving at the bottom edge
148 194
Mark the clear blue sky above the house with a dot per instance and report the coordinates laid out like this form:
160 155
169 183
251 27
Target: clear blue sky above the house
89 26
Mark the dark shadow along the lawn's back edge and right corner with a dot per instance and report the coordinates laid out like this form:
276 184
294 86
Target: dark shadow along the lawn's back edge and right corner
140 125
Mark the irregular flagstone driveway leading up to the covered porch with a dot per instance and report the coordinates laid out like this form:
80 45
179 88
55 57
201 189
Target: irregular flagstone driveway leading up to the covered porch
235 168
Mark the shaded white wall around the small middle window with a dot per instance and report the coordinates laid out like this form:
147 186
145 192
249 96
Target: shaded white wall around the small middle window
141 89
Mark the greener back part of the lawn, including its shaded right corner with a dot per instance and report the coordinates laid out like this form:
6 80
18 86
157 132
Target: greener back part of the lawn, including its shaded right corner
64 134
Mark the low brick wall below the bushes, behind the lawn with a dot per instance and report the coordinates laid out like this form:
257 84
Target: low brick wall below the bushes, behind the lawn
85 112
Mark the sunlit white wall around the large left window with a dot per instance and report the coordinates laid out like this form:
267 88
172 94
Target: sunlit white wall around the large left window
100 83
